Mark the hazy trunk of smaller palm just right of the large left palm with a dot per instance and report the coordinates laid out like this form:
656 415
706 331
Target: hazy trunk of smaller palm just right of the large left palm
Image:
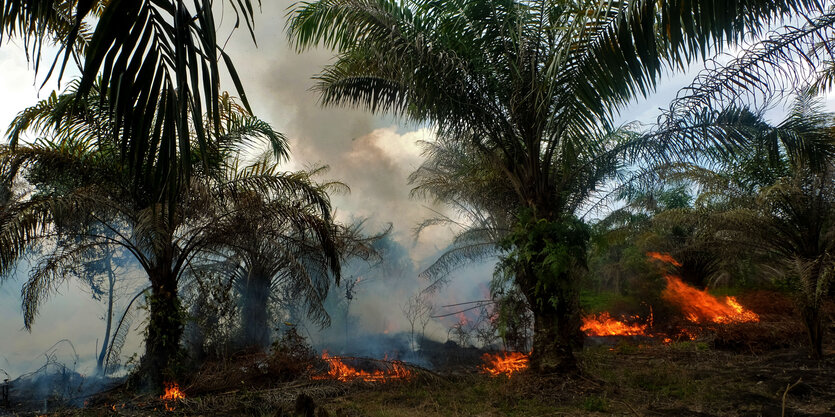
255 312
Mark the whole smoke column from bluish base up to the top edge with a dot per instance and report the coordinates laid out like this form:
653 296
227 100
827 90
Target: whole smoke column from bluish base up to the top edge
374 156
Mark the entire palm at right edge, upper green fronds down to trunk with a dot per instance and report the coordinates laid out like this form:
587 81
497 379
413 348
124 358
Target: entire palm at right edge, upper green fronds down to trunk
777 204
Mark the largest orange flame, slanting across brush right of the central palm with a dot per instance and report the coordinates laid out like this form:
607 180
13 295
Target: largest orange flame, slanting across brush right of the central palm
701 307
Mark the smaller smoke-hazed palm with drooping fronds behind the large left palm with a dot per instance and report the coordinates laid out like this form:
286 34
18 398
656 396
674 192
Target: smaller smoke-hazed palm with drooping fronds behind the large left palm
277 245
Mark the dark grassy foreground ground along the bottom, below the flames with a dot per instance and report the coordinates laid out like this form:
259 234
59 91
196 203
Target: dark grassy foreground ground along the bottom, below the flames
680 379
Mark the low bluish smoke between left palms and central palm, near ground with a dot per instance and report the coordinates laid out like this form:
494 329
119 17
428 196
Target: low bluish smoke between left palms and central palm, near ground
367 310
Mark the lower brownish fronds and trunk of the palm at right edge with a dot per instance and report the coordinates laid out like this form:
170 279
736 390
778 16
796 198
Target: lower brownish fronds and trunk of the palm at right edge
793 229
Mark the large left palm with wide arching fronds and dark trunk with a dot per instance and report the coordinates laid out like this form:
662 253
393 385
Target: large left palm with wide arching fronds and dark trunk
96 190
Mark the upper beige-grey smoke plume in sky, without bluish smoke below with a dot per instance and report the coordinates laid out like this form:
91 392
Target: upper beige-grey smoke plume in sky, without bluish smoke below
372 154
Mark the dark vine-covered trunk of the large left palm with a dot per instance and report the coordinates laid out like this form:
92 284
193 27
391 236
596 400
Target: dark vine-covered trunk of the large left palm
165 328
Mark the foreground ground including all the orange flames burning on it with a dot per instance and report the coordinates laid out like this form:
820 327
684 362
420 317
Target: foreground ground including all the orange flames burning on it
707 355
